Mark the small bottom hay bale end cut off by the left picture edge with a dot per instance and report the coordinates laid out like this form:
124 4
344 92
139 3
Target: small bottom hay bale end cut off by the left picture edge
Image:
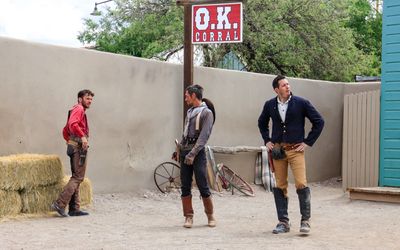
10 203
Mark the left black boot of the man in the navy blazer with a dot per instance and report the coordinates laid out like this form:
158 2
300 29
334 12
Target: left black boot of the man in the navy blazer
281 203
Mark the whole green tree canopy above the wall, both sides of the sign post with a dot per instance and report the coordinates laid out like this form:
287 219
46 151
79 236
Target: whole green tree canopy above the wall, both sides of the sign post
299 38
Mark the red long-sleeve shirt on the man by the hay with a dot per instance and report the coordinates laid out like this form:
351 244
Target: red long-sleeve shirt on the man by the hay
77 124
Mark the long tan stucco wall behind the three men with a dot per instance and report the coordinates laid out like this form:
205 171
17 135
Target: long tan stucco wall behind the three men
137 111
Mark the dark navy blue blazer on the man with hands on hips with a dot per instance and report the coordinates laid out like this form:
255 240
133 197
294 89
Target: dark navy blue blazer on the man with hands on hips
292 130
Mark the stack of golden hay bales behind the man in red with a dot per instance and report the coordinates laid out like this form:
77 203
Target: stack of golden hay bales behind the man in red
29 183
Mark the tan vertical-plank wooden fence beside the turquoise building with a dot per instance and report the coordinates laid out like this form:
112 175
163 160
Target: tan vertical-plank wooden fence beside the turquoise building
360 156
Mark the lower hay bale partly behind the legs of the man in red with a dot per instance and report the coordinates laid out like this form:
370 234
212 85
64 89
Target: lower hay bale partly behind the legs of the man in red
39 199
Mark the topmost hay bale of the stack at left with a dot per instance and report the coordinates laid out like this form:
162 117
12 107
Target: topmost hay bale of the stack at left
26 171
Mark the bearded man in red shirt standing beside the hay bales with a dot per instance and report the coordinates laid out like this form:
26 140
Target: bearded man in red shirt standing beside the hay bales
75 133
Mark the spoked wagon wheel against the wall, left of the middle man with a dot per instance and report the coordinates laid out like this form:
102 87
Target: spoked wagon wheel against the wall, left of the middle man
167 177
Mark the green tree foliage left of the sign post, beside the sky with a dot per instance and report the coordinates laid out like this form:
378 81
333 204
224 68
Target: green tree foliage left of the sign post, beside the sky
136 28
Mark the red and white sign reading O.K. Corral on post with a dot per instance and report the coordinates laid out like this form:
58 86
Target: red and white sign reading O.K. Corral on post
217 23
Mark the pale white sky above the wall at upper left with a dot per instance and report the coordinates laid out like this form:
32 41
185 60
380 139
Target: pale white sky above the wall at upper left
46 21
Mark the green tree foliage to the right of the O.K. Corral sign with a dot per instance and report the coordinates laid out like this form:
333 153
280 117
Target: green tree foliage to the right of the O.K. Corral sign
300 38
